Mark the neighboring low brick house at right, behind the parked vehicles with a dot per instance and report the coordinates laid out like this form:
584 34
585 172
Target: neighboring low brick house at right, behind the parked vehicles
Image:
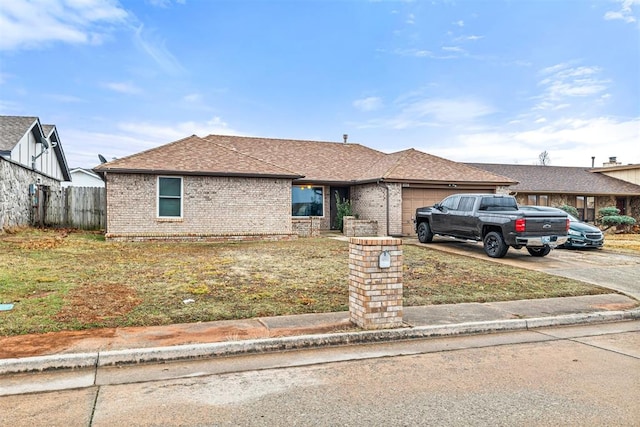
588 190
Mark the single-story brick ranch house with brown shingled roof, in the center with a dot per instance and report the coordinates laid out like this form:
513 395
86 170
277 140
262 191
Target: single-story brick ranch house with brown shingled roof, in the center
243 187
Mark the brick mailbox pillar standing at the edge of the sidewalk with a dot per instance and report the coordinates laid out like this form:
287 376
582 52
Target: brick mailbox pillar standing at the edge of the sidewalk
375 282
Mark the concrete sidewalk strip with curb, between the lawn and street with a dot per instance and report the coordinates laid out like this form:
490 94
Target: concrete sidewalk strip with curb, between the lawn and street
121 346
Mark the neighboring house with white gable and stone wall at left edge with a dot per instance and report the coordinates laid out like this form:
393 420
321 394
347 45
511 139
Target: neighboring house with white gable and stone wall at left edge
32 167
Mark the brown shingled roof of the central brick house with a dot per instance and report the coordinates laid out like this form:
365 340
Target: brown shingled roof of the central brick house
307 161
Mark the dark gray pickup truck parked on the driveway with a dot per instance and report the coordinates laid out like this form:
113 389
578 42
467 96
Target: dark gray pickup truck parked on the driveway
494 220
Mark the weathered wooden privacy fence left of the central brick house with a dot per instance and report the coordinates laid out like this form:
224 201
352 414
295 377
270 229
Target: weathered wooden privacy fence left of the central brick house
77 207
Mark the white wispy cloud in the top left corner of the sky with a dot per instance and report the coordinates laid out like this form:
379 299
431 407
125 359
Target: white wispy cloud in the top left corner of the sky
28 25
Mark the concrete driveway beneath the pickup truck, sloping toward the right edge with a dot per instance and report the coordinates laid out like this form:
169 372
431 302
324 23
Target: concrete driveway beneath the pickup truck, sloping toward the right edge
602 267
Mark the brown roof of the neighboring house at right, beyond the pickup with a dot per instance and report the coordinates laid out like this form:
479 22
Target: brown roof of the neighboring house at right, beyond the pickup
560 179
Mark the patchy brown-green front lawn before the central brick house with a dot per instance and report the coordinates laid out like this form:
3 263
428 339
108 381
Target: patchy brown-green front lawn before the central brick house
66 280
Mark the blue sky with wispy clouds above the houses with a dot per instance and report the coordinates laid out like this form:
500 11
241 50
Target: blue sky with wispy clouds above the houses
471 81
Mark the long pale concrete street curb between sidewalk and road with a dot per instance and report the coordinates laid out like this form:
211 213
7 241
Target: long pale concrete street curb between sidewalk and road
265 345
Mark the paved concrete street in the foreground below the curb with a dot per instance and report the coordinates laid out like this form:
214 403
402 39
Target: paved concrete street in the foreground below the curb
581 375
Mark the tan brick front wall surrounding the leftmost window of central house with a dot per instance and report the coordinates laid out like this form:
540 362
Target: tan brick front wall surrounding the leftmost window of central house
212 206
